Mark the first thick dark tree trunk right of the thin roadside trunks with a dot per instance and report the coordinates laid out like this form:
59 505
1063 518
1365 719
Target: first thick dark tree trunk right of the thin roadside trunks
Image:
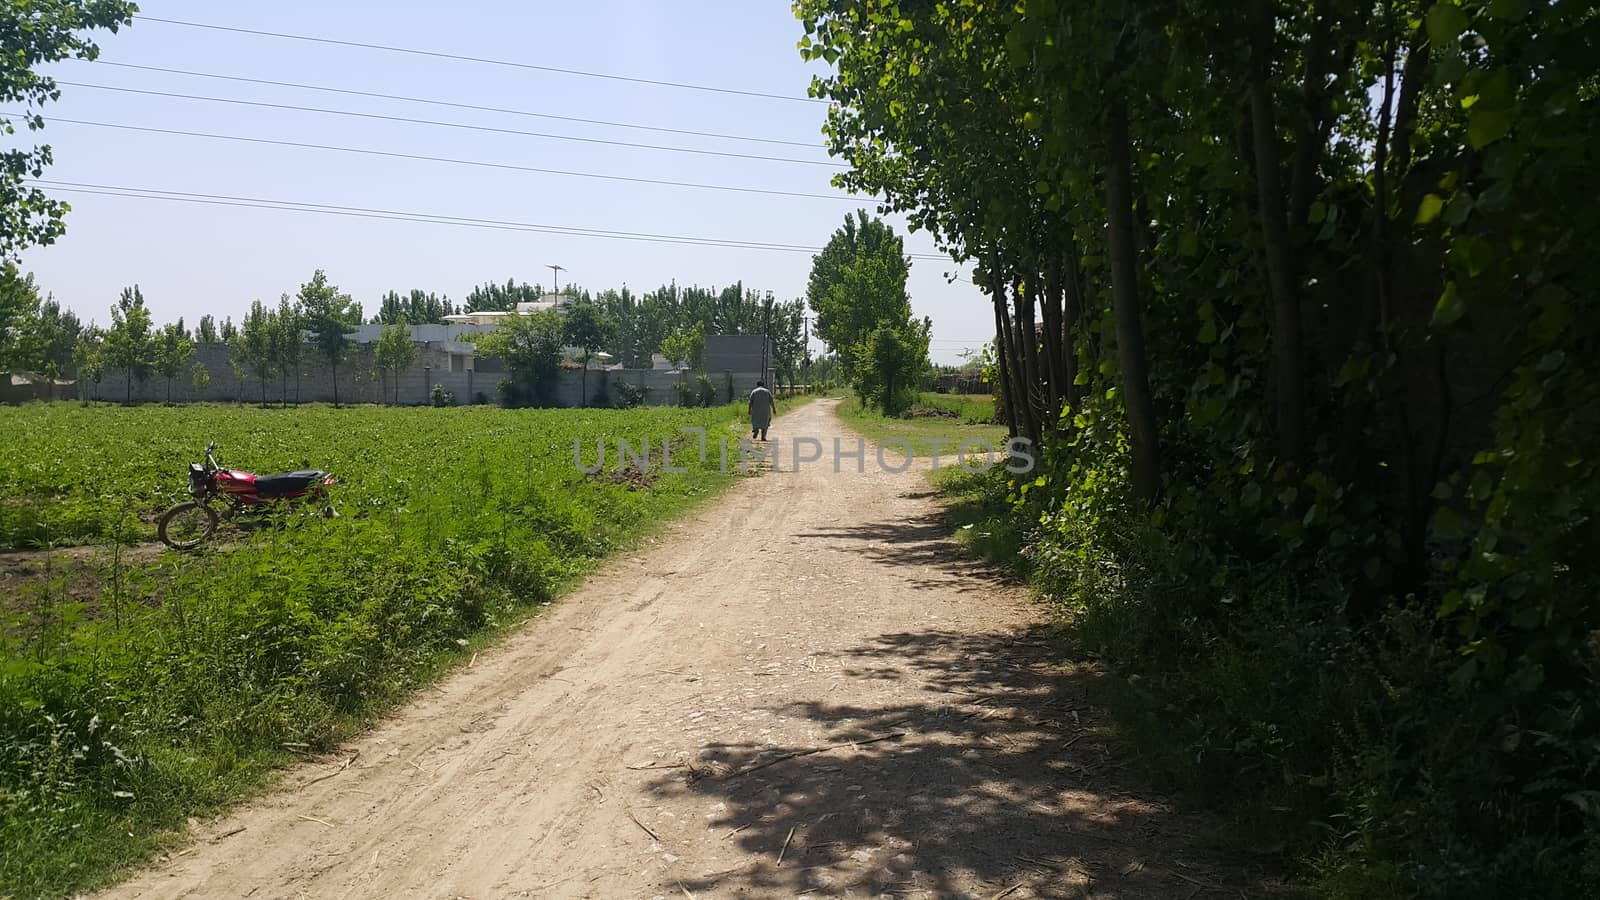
1126 303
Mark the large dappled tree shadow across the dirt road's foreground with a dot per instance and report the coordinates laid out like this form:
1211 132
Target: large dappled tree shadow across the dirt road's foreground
988 774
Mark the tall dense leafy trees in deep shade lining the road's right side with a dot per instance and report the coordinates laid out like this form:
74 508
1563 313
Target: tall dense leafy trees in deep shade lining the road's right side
1318 279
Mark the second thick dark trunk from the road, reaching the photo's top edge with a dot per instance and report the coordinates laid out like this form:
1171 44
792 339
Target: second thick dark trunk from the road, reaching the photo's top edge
1287 345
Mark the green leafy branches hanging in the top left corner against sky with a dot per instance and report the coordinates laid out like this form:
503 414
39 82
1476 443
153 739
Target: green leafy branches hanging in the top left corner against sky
36 33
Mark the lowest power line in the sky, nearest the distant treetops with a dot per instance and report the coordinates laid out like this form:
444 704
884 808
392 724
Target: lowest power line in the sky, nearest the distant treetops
401 215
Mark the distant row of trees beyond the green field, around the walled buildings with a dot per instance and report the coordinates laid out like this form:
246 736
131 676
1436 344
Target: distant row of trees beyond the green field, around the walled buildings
271 342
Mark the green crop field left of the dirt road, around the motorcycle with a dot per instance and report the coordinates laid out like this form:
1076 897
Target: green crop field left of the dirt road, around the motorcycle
142 686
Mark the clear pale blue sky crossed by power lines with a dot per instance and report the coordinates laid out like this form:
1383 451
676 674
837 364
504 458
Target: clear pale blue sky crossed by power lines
191 260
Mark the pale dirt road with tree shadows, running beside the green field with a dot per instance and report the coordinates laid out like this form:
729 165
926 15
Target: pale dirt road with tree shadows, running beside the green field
802 689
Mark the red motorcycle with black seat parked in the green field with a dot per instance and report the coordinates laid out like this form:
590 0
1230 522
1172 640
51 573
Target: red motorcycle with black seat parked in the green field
193 523
